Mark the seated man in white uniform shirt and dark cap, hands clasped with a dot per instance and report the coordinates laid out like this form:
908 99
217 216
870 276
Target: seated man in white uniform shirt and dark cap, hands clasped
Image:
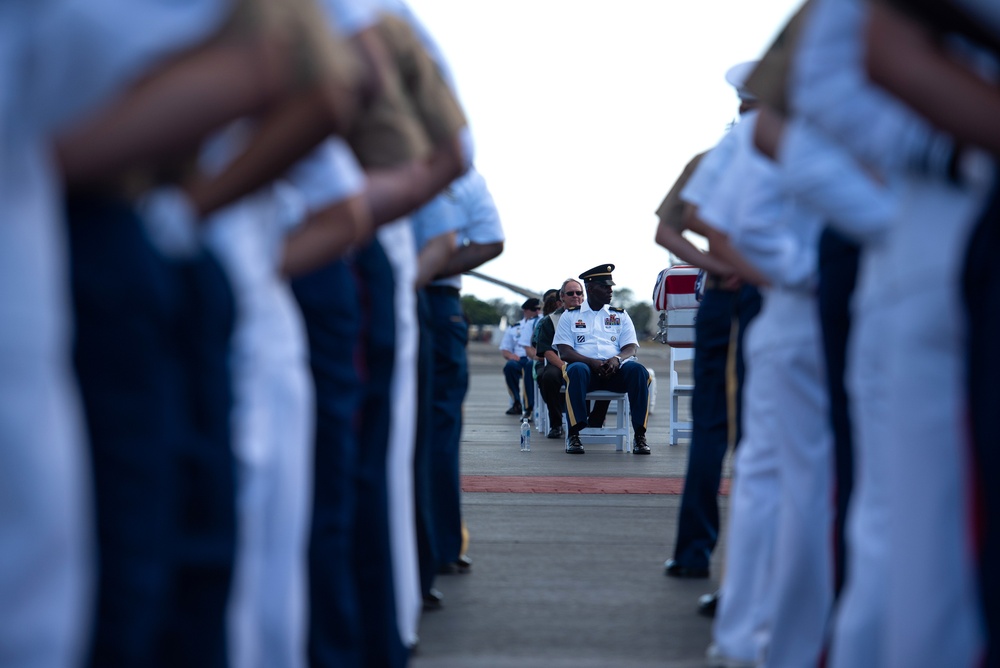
598 344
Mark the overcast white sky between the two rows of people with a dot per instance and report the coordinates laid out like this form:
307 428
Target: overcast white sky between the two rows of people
584 114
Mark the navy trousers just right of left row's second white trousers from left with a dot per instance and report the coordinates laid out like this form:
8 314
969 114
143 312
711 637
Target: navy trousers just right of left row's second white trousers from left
328 299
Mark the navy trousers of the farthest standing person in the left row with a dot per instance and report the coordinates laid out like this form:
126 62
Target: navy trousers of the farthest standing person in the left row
450 334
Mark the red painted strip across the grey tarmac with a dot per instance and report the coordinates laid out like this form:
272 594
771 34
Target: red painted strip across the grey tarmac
575 485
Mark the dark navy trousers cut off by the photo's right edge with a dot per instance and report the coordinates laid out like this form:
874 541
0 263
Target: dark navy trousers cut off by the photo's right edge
981 287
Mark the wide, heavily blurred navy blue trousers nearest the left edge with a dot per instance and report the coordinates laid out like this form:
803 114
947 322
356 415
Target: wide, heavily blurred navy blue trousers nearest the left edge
151 355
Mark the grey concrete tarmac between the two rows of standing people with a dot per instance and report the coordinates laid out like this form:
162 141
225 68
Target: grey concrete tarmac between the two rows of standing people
567 550
